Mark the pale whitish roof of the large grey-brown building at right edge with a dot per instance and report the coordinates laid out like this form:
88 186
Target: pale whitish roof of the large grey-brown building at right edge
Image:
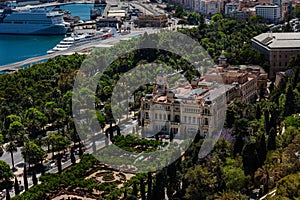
278 40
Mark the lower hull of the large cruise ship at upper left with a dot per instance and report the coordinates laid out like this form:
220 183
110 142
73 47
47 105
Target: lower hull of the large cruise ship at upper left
33 29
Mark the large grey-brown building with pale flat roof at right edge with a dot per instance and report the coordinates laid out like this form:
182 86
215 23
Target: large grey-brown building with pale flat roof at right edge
279 48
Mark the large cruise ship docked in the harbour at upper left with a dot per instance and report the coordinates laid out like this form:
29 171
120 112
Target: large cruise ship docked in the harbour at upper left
33 22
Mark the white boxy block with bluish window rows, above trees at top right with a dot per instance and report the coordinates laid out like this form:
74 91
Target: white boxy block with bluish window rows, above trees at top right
272 13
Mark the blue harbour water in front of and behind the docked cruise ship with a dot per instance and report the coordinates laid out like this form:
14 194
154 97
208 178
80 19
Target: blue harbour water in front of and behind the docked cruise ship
14 48
